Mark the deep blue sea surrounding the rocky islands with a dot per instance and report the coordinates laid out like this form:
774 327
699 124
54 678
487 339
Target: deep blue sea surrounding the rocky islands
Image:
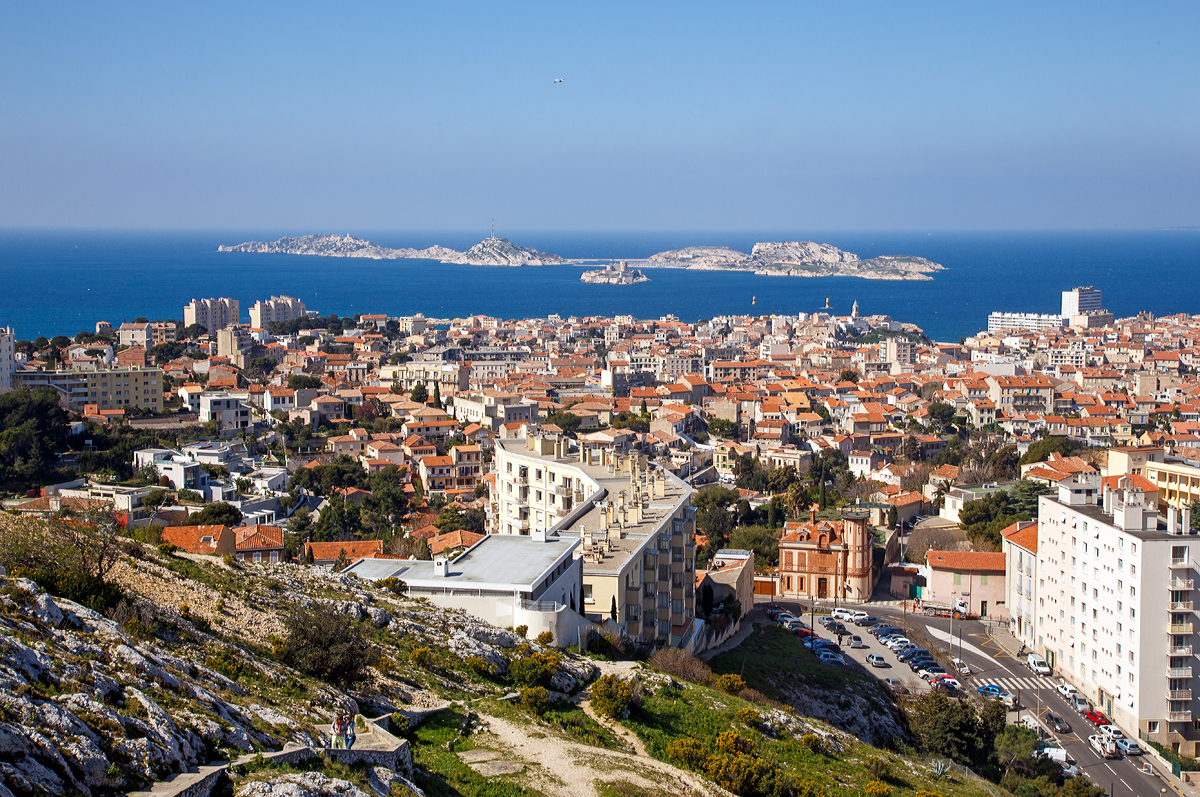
63 283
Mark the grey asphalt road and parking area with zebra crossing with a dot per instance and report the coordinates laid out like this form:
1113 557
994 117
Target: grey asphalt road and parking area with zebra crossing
991 663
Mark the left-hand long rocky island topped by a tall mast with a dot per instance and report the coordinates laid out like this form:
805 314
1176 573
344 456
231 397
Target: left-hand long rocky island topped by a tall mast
491 251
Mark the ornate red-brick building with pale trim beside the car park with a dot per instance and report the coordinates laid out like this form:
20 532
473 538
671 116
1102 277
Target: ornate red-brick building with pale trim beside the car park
827 560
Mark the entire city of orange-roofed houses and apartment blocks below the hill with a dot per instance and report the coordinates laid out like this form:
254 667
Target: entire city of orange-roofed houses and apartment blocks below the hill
668 486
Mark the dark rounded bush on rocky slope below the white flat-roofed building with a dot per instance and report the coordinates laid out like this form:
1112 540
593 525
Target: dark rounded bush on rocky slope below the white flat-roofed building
326 645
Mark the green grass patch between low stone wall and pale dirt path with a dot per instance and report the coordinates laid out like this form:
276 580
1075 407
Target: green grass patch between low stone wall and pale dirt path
446 775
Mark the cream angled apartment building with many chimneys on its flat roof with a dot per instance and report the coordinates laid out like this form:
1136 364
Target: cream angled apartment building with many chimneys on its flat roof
634 519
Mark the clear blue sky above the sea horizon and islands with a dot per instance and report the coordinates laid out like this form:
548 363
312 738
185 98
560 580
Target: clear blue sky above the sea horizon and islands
698 116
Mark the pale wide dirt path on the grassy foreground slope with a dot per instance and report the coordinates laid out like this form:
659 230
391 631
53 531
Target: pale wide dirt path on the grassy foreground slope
571 770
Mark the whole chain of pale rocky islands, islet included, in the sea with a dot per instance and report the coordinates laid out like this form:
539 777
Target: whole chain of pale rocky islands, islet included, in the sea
781 259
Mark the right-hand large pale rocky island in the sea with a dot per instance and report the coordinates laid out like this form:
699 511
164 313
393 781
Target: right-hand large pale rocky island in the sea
797 260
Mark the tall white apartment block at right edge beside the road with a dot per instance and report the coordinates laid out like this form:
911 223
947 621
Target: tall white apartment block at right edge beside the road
1115 608
